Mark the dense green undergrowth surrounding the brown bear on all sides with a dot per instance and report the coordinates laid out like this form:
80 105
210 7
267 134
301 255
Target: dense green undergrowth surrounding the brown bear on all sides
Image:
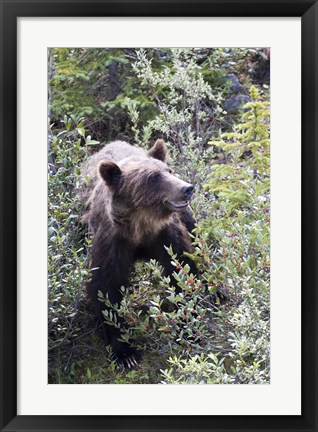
196 336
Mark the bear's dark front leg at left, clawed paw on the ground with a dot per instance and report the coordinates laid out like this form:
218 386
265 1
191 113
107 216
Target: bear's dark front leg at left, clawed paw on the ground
109 273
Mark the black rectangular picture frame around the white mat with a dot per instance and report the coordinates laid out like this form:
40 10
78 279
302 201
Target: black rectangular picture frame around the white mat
10 11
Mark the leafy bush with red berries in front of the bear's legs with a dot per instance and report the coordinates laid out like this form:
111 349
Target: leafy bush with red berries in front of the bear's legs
174 321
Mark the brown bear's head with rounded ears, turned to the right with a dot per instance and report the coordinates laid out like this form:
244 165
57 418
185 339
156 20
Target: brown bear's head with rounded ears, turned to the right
144 188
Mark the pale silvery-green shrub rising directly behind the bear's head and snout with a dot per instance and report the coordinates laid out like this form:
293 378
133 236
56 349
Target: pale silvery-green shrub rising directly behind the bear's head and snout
189 109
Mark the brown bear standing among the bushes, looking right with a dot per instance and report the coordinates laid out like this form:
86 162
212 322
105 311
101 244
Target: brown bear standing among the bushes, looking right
135 207
